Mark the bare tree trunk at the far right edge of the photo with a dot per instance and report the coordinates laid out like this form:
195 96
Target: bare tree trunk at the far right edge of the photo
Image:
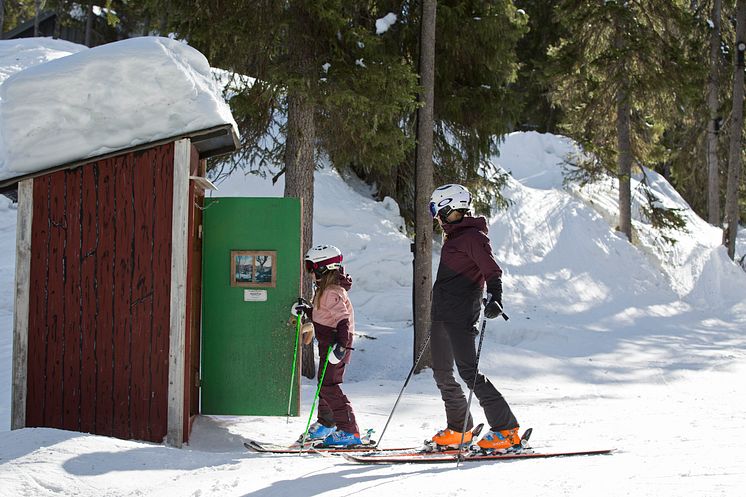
736 134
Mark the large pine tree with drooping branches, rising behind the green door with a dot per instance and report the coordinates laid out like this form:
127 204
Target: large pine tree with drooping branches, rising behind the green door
322 84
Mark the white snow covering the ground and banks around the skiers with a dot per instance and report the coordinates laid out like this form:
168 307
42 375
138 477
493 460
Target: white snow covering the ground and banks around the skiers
638 347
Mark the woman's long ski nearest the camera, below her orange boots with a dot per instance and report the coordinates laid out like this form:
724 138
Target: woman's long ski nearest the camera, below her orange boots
434 458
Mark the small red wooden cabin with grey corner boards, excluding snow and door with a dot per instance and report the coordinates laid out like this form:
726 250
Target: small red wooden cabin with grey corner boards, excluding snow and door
106 332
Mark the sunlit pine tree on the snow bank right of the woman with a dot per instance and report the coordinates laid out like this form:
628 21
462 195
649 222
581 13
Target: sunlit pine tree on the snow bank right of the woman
620 76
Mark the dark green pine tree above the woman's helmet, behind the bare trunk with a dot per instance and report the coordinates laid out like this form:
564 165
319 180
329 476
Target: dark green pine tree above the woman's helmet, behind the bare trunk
475 104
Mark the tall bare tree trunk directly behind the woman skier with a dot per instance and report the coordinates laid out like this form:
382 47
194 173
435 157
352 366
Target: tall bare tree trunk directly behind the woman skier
423 241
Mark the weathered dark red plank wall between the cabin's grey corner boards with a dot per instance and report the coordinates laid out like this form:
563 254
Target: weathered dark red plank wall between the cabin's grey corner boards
100 297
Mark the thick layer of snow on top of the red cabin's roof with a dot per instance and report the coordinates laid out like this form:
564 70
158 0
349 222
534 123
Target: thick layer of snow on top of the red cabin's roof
102 100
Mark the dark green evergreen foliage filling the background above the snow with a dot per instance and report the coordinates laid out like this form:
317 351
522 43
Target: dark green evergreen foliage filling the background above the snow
501 65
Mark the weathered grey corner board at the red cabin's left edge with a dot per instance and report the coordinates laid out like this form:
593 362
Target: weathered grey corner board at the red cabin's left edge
20 316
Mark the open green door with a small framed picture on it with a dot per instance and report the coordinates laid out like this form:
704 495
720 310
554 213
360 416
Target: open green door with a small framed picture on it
251 276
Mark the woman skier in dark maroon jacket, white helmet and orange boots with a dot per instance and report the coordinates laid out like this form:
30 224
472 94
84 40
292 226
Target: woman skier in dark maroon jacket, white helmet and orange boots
466 264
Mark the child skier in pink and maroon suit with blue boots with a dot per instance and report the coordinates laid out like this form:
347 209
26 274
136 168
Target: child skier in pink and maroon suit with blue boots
334 321
